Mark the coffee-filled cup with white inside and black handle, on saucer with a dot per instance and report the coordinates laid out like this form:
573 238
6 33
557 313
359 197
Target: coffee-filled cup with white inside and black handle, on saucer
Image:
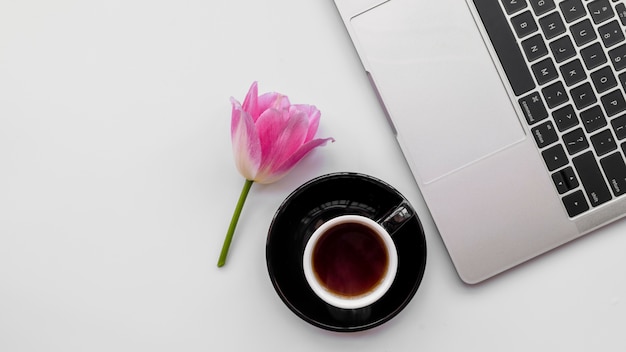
351 261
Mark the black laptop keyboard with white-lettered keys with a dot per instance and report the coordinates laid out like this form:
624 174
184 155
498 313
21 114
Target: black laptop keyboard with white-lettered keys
566 61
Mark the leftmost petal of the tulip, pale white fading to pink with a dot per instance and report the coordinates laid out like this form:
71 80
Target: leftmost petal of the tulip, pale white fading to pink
245 142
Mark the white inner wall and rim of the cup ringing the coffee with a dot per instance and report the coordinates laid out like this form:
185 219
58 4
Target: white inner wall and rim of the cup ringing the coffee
359 301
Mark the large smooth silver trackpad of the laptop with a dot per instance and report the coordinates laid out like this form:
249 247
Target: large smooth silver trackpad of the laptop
438 82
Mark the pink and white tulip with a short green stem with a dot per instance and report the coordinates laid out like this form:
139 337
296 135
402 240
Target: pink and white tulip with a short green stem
269 136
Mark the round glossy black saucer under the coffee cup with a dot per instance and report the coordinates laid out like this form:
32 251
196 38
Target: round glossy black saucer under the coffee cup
314 203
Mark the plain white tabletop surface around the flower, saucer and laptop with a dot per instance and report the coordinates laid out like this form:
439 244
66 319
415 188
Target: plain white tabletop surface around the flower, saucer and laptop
117 186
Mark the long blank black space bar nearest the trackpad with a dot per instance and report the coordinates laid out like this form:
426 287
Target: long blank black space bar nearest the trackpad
506 47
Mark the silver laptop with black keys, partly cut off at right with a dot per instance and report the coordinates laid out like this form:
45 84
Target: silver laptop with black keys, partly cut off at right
510 113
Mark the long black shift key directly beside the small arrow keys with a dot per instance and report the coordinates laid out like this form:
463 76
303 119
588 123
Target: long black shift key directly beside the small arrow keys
591 178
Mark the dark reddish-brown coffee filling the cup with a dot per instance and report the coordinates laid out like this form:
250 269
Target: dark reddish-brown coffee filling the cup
350 259
